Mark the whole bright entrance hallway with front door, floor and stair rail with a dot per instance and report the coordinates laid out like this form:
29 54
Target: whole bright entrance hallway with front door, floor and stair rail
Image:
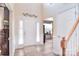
23 32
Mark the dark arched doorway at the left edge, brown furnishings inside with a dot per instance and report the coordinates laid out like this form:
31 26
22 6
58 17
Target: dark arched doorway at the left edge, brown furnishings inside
4 30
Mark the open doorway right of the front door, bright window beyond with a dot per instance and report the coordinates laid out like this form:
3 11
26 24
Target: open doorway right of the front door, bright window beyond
47 30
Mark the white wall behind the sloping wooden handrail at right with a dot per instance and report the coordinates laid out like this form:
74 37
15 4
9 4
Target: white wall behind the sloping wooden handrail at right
63 23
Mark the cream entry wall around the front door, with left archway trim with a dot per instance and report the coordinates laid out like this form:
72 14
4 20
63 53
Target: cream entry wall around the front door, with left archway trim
16 11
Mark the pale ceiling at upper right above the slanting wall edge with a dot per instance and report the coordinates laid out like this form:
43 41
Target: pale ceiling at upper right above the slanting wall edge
52 9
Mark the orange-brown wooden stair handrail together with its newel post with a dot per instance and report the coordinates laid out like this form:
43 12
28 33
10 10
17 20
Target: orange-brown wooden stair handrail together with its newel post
67 38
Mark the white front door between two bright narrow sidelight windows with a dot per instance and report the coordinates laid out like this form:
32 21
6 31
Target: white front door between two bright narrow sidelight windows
29 28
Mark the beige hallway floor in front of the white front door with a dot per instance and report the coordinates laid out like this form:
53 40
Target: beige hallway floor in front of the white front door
37 50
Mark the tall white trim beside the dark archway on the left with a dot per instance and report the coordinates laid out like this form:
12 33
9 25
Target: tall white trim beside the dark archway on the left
11 29
